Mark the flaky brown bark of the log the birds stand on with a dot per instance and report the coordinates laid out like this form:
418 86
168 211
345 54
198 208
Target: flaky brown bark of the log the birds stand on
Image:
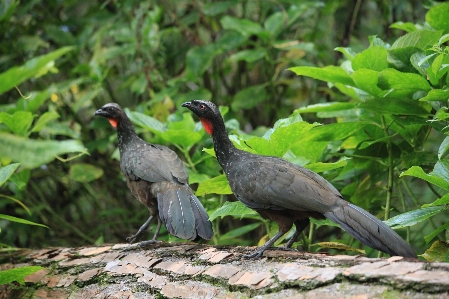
189 270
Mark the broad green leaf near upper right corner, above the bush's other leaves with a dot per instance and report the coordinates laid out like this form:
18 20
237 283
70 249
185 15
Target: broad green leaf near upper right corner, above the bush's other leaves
421 39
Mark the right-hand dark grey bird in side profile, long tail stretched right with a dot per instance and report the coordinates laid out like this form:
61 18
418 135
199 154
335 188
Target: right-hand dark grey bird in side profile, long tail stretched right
289 194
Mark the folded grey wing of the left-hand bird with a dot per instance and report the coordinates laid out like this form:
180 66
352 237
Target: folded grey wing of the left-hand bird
153 163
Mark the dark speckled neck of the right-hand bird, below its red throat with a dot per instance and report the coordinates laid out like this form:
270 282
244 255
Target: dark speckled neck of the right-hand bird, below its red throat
224 149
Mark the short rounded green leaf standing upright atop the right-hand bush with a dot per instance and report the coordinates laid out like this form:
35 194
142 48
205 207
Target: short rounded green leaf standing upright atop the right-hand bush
373 58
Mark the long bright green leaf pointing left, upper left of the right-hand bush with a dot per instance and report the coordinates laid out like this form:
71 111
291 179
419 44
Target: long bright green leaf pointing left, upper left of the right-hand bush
334 74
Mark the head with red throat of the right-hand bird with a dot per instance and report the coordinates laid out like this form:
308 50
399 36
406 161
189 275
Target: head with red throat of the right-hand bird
206 111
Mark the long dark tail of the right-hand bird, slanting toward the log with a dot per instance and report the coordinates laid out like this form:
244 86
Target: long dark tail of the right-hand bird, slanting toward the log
370 230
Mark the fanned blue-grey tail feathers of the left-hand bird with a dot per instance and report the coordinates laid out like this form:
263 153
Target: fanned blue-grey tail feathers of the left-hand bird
182 213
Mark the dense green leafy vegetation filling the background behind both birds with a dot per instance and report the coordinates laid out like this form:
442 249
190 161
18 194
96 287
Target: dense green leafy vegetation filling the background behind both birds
375 128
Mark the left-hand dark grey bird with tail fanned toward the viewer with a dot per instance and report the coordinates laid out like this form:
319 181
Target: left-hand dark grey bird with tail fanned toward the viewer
158 179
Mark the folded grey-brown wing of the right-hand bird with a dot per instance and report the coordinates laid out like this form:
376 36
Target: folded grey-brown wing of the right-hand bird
273 183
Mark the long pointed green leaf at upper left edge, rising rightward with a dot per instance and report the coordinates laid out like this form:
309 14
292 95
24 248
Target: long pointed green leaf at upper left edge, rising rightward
16 75
